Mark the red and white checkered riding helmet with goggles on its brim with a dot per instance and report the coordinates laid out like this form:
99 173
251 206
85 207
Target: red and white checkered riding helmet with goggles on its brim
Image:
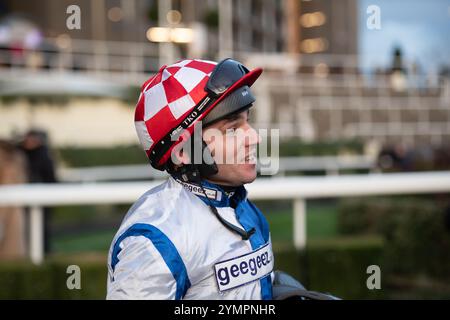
180 95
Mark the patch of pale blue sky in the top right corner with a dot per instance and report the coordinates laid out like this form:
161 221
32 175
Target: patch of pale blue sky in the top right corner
420 27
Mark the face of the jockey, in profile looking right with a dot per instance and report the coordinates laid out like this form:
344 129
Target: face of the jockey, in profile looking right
232 142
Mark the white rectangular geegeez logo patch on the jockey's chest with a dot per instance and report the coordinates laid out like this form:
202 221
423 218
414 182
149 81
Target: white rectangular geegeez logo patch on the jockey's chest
244 269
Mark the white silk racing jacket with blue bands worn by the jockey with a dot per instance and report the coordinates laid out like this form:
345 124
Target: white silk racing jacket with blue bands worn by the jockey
171 246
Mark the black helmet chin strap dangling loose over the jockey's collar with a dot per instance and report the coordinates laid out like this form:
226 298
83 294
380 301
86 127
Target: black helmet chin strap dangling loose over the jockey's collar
195 173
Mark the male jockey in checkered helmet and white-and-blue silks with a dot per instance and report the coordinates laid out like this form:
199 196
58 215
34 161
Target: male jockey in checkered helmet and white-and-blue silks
196 236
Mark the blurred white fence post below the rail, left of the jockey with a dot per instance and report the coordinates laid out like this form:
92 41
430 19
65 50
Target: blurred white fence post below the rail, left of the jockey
36 234
